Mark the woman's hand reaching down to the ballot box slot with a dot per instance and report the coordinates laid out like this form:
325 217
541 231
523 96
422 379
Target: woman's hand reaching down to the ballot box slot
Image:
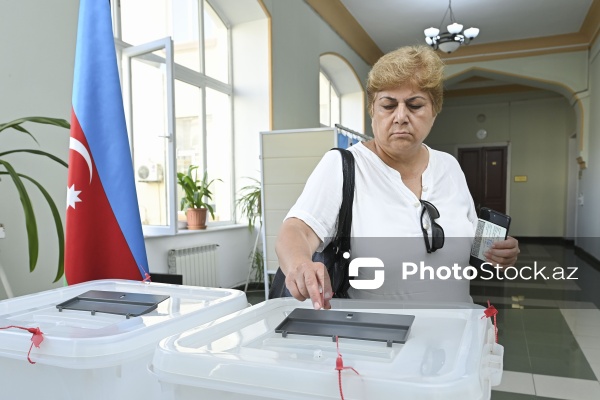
310 280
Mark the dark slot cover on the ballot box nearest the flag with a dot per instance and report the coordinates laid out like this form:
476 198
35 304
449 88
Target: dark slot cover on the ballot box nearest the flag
109 302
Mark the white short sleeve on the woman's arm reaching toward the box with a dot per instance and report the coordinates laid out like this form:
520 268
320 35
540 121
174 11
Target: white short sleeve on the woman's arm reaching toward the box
319 203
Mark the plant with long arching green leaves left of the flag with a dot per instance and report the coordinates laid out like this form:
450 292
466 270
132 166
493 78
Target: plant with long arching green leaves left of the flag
18 181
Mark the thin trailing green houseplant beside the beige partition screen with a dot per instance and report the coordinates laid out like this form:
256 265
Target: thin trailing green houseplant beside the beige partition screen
250 206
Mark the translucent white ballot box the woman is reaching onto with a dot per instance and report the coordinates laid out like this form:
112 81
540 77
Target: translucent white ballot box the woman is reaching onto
272 351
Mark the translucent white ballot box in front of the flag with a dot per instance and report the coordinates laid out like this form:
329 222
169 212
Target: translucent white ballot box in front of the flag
99 337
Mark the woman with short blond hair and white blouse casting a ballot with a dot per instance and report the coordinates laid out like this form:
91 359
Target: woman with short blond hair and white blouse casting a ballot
401 184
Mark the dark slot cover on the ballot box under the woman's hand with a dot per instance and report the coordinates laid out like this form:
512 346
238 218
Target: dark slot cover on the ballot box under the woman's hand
390 328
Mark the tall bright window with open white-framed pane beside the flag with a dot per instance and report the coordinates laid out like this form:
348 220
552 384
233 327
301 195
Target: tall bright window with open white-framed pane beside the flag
176 66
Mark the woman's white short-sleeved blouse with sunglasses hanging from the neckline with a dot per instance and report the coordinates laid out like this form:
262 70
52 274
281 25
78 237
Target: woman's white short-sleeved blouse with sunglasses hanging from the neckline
386 222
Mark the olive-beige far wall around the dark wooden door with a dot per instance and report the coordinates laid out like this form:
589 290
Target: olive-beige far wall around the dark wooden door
538 131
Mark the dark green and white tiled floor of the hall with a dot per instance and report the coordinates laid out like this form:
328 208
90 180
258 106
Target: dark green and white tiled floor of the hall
550 329
